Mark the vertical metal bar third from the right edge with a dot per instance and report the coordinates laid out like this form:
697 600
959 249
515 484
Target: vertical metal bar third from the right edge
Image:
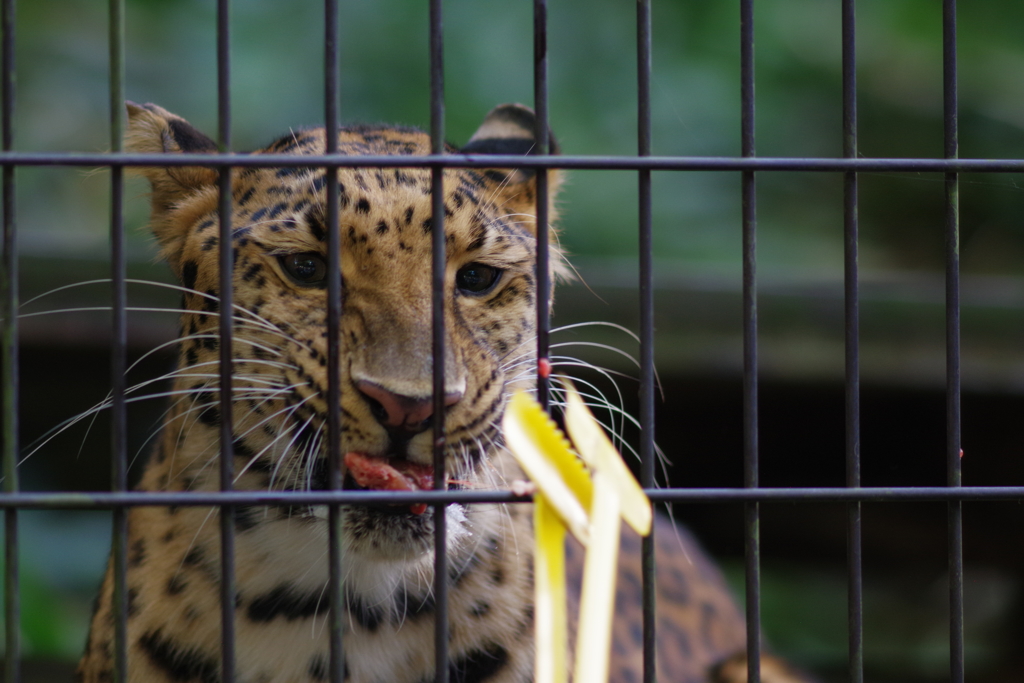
749 190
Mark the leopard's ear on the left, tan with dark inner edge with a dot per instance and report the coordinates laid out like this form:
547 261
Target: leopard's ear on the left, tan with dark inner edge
155 131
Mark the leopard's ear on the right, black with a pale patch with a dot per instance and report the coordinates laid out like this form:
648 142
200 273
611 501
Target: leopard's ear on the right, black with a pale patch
510 130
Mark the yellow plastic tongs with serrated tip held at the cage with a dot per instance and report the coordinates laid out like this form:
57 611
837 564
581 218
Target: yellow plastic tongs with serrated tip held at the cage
588 491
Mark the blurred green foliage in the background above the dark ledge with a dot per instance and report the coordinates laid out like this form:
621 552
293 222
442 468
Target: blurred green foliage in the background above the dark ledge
277 83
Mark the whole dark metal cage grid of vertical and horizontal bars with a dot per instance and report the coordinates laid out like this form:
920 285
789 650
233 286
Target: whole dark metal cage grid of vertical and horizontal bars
748 167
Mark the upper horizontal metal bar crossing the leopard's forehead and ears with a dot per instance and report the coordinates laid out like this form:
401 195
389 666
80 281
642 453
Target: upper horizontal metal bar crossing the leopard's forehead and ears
510 161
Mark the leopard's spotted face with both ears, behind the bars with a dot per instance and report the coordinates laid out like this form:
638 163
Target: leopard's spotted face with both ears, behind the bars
280 319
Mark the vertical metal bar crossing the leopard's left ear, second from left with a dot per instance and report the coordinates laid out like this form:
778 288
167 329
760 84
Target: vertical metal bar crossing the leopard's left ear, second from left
119 345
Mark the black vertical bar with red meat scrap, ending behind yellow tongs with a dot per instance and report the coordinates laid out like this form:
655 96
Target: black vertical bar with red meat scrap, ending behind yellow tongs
541 148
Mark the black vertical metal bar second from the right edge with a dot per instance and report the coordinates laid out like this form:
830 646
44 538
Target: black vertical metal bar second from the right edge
852 313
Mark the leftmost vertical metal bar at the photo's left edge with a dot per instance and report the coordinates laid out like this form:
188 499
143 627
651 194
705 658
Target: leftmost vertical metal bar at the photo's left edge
13 606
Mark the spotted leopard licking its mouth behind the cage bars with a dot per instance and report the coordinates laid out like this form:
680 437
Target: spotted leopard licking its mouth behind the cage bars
279 232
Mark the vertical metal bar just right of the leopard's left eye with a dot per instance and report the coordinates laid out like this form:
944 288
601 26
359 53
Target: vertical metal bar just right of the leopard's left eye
331 70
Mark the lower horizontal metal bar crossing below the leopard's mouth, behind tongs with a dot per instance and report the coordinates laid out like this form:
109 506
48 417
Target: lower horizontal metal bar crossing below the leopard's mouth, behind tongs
82 501
